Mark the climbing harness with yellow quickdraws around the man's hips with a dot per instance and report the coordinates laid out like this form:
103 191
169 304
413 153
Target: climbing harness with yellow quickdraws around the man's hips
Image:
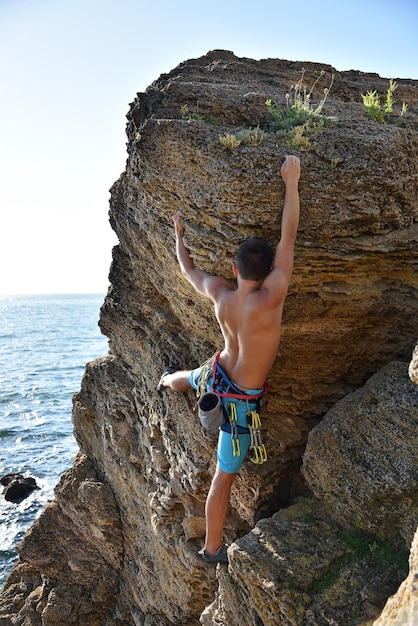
221 385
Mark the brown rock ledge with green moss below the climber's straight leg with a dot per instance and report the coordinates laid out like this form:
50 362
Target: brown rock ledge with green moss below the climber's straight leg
299 568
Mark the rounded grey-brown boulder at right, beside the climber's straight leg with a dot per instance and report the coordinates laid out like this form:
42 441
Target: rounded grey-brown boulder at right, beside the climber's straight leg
369 438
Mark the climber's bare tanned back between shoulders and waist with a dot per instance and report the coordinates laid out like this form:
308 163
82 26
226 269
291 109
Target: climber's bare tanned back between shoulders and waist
250 322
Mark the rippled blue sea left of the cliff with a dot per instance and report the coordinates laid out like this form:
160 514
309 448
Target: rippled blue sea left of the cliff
45 343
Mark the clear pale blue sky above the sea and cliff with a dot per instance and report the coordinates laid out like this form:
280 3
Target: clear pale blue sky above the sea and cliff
70 68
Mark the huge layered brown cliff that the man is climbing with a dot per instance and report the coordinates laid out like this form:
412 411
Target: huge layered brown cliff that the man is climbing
351 309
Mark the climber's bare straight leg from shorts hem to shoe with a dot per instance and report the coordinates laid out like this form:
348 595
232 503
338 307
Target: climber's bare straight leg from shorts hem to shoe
216 508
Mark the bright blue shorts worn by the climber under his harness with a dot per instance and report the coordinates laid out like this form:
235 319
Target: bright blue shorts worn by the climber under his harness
227 462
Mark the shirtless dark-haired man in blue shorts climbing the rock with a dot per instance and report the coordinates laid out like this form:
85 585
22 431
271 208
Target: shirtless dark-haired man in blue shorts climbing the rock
249 316
